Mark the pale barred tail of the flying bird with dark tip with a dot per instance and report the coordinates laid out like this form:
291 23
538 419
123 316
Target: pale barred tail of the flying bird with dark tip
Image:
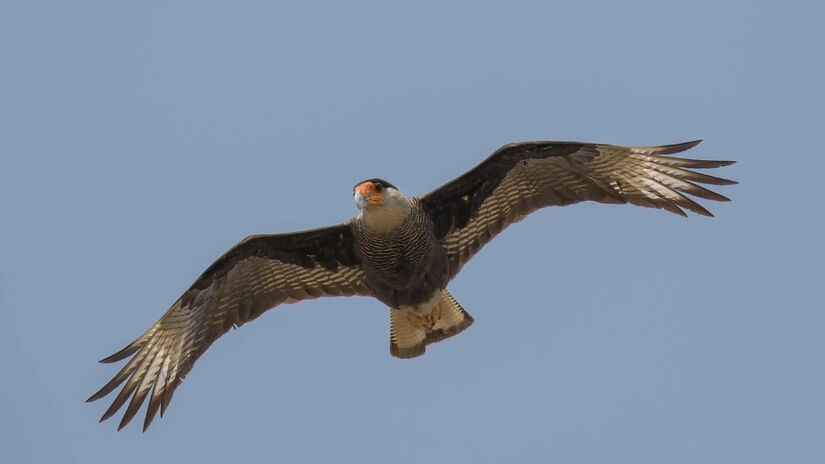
411 331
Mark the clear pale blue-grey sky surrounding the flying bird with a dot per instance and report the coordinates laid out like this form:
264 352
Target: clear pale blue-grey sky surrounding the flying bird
140 140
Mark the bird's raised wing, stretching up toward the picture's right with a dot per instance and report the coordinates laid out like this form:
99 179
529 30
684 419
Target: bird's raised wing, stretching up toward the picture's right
520 178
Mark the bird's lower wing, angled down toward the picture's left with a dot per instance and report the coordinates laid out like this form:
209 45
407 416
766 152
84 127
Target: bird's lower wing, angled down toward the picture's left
259 273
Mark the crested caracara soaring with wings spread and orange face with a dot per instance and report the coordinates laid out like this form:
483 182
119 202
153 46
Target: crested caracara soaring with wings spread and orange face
401 250
